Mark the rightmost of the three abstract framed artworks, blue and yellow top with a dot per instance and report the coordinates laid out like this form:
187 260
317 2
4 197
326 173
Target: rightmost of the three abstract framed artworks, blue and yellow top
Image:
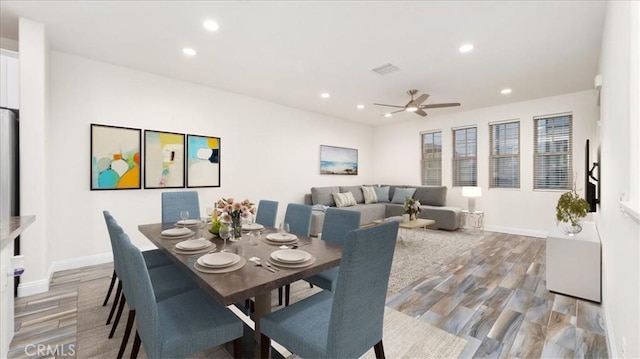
203 161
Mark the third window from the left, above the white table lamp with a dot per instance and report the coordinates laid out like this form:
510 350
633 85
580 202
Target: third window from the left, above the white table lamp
504 156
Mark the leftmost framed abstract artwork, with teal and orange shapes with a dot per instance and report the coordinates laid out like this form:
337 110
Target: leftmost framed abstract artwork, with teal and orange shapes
115 157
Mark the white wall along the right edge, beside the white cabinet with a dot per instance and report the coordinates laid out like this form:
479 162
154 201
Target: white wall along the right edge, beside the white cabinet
620 235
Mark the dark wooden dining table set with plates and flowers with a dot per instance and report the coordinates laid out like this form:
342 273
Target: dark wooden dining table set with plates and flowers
250 280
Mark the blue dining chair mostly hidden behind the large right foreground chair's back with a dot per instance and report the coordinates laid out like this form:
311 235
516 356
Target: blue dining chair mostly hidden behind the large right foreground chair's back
337 224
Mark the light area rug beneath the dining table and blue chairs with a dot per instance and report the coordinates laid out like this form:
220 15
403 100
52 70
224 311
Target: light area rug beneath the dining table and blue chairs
404 336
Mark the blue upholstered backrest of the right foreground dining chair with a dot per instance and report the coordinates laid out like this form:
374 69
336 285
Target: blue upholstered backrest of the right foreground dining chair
355 324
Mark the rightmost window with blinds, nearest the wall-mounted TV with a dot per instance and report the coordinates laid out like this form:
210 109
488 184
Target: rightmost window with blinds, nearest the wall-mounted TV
552 156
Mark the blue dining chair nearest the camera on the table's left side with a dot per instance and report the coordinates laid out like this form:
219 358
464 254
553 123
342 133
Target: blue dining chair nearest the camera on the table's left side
178 326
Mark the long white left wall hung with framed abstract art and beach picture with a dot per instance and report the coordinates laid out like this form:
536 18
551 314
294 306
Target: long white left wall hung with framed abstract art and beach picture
268 151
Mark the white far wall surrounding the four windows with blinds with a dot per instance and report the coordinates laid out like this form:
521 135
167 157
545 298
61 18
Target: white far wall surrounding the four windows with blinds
523 210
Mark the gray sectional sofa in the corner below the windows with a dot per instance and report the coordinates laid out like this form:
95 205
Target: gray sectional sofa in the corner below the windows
432 199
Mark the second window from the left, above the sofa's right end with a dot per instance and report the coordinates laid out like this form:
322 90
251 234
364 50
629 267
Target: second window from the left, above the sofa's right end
464 157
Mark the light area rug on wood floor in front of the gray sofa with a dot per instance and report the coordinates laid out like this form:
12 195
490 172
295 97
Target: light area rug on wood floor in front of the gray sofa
419 253
